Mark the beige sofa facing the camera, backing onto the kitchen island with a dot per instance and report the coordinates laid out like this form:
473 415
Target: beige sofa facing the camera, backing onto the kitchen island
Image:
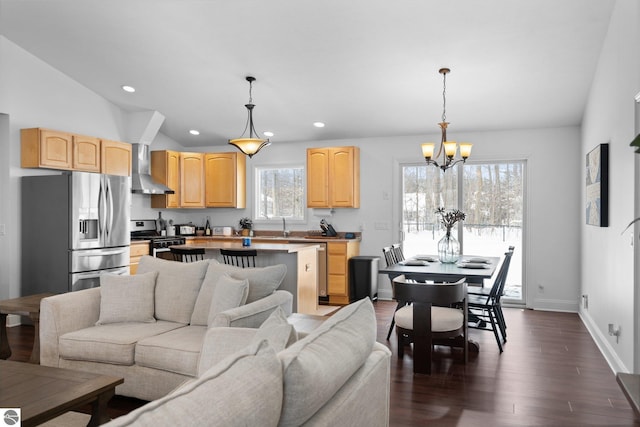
150 328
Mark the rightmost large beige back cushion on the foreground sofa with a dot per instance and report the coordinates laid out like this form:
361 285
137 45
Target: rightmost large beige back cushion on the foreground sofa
324 360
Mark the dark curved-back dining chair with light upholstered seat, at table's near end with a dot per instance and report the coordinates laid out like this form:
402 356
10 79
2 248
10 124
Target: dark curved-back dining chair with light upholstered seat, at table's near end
432 314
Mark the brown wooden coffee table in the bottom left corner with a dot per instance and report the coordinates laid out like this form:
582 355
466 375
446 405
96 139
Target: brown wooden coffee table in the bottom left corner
43 392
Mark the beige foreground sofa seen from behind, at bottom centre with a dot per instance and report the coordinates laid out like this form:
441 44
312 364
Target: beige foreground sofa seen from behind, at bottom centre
338 375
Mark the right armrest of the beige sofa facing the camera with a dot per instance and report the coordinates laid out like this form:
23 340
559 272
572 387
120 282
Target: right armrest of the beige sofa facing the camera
252 315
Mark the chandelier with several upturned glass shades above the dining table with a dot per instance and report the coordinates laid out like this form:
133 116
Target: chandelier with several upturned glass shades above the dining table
447 149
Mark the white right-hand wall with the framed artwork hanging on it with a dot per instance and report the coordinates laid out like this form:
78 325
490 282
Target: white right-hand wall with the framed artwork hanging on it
607 255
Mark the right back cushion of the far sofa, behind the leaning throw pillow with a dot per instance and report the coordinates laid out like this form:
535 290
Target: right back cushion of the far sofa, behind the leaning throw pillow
262 282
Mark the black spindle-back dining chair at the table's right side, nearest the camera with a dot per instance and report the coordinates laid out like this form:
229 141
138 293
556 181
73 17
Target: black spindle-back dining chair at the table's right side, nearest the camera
486 306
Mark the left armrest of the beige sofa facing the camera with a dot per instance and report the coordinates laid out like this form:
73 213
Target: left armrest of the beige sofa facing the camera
64 313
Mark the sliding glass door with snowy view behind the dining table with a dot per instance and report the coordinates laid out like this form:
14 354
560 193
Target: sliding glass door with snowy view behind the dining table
491 194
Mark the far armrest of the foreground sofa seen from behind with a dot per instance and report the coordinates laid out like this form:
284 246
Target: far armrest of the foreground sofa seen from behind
219 343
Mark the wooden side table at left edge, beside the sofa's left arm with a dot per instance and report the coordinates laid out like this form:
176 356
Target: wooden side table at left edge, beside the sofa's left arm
23 306
